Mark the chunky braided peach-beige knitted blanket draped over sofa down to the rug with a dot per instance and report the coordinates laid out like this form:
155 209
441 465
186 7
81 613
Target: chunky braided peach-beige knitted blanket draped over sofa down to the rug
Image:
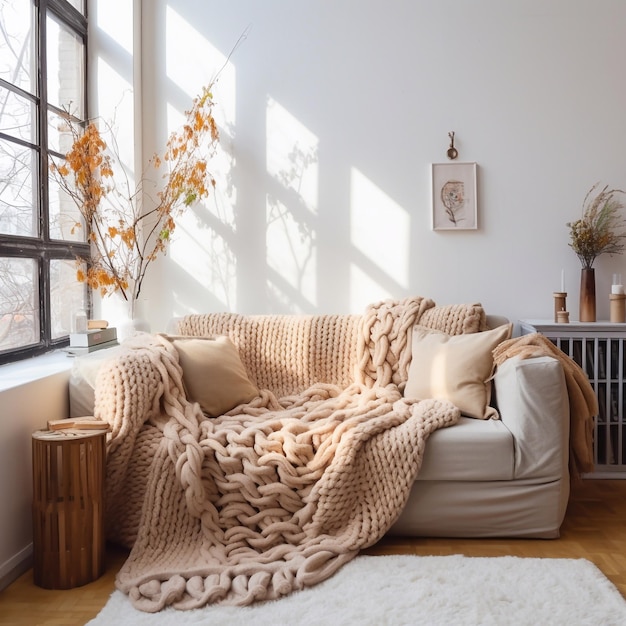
277 494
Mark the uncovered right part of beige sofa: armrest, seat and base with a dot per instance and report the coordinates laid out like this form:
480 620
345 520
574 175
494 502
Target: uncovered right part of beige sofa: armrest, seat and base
499 478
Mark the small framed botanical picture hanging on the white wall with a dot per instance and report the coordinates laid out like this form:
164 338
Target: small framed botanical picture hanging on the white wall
454 202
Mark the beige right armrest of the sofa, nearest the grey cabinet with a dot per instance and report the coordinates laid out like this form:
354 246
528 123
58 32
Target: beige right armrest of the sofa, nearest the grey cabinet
531 397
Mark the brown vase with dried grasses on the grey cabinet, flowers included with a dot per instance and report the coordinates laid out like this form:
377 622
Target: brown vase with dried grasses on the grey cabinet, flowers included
600 230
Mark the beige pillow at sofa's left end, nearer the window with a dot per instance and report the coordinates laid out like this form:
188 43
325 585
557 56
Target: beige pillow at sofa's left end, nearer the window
213 373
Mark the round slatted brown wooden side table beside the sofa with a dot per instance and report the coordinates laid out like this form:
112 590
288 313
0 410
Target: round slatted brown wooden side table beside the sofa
68 507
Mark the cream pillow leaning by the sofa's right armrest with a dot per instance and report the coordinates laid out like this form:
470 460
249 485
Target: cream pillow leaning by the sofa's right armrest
455 368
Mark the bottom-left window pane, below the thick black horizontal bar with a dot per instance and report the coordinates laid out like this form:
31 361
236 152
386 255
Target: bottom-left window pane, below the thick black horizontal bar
19 303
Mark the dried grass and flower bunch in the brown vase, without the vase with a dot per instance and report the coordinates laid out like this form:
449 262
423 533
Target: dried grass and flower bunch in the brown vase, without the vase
601 228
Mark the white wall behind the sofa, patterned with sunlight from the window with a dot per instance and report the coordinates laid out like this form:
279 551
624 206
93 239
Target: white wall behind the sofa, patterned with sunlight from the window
367 91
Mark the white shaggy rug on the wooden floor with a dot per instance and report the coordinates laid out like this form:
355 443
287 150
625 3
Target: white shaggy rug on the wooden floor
429 590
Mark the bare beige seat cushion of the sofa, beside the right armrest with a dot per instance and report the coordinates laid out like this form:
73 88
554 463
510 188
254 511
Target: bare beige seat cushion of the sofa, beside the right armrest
468 451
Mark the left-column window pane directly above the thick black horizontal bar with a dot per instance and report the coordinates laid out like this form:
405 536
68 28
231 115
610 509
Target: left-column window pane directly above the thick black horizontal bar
18 202
